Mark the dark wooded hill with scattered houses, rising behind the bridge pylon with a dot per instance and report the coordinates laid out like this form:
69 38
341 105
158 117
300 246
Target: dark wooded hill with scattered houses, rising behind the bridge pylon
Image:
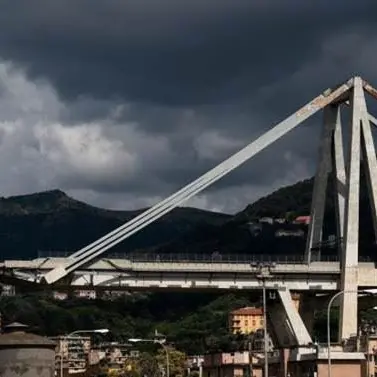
236 236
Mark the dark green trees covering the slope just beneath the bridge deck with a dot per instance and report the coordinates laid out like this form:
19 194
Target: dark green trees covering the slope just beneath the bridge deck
193 323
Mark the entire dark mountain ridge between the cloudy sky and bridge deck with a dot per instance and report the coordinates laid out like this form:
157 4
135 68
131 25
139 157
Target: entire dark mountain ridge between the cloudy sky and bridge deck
52 221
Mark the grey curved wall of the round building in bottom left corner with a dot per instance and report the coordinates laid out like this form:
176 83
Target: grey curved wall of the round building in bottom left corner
27 362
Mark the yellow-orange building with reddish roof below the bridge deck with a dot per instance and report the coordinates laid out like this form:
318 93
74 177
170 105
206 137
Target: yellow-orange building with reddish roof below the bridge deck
246 320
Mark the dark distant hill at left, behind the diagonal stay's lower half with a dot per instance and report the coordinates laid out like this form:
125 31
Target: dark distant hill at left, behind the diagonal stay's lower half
53 221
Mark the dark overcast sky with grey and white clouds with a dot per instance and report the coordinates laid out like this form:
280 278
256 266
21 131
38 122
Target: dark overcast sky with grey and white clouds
120 103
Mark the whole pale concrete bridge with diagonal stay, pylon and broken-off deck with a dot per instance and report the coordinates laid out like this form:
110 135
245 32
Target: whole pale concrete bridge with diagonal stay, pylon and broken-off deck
90 267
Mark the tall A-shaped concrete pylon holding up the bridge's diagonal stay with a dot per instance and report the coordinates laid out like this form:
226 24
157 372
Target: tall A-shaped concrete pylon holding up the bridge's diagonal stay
345 171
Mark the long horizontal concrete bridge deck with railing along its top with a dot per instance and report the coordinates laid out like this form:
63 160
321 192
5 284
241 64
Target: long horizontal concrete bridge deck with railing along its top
163 273
